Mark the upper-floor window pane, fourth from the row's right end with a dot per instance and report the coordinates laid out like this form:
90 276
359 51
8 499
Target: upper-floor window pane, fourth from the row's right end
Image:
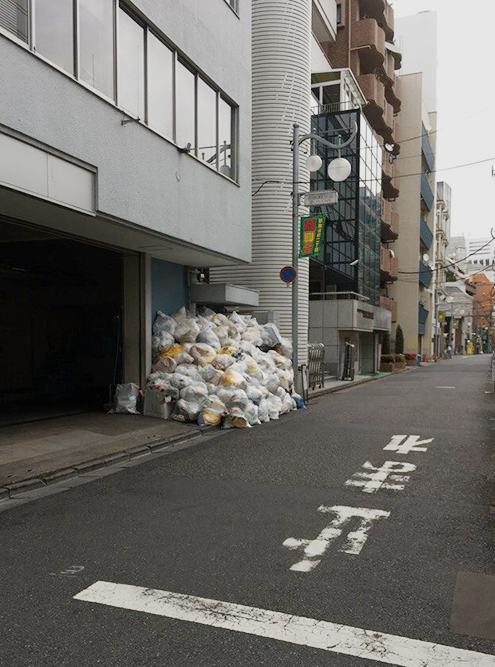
160 87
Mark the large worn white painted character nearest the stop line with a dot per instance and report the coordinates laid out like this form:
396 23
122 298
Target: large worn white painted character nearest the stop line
355 541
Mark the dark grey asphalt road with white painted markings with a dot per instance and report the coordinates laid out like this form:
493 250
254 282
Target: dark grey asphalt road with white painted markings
211 520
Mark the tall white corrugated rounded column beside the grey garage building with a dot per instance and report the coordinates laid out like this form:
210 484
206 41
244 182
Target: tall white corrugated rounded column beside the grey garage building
281 89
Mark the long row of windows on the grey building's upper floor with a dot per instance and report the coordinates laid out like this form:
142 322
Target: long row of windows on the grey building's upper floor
101 44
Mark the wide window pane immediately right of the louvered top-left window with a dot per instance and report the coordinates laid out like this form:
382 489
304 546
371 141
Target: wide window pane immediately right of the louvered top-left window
53 33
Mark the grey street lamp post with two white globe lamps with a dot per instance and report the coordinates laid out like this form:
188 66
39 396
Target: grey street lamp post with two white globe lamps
338 170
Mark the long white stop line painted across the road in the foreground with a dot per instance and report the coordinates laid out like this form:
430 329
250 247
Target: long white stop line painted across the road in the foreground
300 630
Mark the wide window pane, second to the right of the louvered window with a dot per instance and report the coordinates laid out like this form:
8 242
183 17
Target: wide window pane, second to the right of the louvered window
96 52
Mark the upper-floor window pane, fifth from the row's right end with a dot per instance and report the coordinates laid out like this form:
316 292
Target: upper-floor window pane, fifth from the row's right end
131 65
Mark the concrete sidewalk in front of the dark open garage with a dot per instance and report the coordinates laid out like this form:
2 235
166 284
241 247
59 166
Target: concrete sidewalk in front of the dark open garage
42 452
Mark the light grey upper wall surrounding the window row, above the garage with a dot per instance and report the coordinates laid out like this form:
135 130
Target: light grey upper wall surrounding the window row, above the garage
141 177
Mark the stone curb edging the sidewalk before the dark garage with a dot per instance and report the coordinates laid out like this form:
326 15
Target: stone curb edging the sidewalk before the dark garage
11 491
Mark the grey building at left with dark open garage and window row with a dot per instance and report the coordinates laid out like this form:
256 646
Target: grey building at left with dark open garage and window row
125 161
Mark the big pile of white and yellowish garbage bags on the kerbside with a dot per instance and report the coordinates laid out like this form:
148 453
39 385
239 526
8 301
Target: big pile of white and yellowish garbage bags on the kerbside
222 368
